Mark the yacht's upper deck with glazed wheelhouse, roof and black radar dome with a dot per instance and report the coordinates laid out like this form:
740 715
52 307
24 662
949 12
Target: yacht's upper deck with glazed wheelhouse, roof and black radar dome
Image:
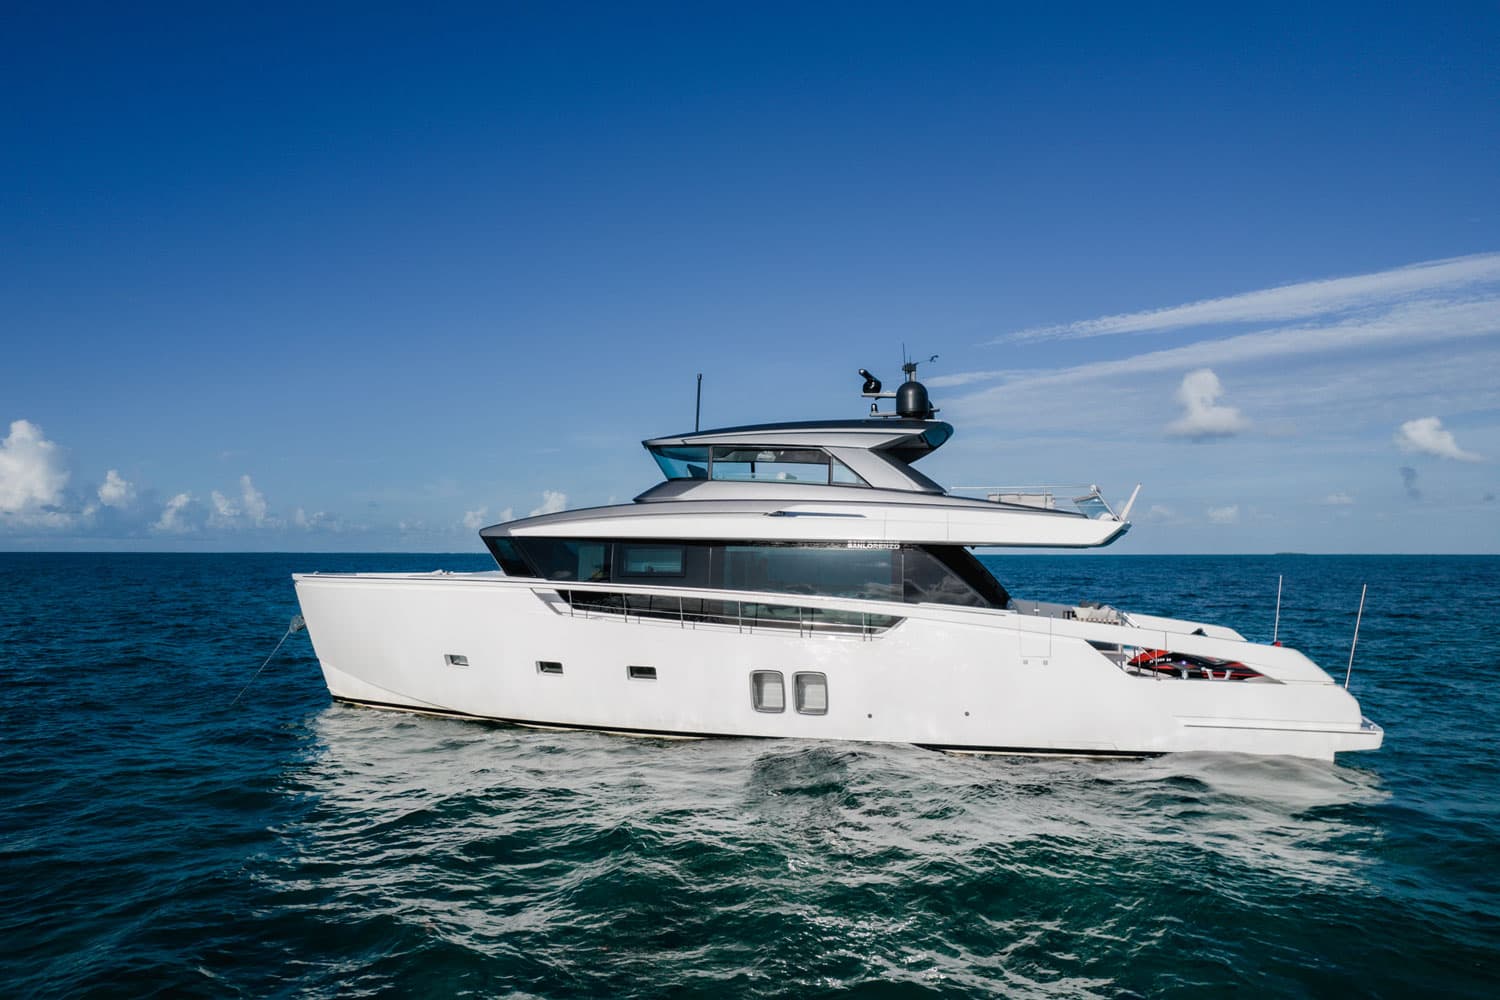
824 482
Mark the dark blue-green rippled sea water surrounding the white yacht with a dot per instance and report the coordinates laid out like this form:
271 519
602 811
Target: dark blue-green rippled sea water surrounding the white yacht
157 840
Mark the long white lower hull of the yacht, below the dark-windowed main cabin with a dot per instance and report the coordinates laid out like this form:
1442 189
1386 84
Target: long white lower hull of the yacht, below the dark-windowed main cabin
953 678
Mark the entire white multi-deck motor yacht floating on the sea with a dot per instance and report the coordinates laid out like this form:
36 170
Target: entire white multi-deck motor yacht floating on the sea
806 581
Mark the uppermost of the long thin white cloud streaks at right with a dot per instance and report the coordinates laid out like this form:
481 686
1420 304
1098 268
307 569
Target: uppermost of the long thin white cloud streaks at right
1289 302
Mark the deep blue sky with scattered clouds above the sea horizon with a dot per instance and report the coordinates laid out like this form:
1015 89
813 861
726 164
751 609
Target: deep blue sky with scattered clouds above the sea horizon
367 280
